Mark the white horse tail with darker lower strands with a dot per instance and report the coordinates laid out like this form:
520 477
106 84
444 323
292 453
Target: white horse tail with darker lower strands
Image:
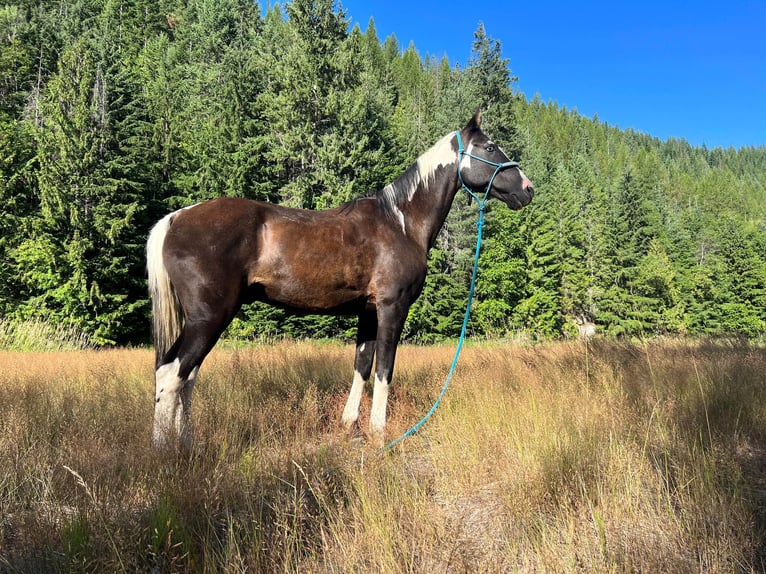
166 310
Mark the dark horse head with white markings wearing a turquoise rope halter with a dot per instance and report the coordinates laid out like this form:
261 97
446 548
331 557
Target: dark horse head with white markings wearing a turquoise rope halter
484 166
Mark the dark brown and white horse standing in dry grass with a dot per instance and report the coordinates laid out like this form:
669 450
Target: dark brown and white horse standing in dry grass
365 258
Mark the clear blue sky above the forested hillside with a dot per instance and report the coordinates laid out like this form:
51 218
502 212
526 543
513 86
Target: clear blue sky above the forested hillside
691 70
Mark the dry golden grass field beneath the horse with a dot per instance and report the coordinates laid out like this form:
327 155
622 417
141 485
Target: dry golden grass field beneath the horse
567 457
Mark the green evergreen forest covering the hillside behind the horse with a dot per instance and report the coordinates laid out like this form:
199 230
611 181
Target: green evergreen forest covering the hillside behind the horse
115 112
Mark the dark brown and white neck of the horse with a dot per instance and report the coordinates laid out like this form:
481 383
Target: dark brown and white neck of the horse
419 201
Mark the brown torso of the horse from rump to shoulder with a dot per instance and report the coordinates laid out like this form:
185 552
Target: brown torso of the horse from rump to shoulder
334 261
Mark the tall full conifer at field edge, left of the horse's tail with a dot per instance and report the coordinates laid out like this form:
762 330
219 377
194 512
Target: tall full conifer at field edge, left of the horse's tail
77 267
